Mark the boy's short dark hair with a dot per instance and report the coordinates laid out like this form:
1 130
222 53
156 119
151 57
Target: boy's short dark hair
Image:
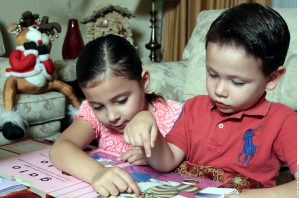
260 30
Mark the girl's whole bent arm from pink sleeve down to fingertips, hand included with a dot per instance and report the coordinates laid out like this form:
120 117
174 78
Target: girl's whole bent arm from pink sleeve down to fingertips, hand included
67 155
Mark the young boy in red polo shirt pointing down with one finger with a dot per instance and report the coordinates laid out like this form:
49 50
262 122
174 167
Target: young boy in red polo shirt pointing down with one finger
234 134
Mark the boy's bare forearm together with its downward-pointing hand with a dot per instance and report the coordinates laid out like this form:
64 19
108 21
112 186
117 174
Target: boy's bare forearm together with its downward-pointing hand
142 131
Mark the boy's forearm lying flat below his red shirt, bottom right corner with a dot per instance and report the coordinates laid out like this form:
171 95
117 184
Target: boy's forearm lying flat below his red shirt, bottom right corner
285 190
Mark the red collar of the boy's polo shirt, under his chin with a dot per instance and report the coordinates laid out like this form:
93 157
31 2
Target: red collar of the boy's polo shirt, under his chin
261 108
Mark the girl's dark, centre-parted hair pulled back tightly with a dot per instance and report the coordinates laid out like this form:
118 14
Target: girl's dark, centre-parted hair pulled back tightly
109 55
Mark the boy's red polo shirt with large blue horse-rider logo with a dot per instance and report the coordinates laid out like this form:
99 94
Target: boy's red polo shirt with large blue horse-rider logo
254 143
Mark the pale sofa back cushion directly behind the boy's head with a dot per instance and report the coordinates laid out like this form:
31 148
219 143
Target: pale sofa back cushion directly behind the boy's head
194 52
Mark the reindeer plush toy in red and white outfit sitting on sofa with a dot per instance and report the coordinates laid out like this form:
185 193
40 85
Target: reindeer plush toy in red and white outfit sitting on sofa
30 70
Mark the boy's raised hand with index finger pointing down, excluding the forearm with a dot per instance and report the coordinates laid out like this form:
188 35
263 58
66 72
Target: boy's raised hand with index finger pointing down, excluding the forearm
142 131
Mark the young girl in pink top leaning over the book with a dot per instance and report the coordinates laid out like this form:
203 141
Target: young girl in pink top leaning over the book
109 72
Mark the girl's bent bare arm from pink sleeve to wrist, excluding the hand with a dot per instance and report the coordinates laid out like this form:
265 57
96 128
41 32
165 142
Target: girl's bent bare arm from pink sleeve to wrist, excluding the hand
66 153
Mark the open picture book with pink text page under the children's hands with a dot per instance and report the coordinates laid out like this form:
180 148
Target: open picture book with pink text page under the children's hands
35 170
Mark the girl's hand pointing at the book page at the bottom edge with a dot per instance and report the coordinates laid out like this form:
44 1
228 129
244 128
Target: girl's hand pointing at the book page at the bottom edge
113 181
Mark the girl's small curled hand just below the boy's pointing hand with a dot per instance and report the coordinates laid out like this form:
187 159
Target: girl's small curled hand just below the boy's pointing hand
135 156
